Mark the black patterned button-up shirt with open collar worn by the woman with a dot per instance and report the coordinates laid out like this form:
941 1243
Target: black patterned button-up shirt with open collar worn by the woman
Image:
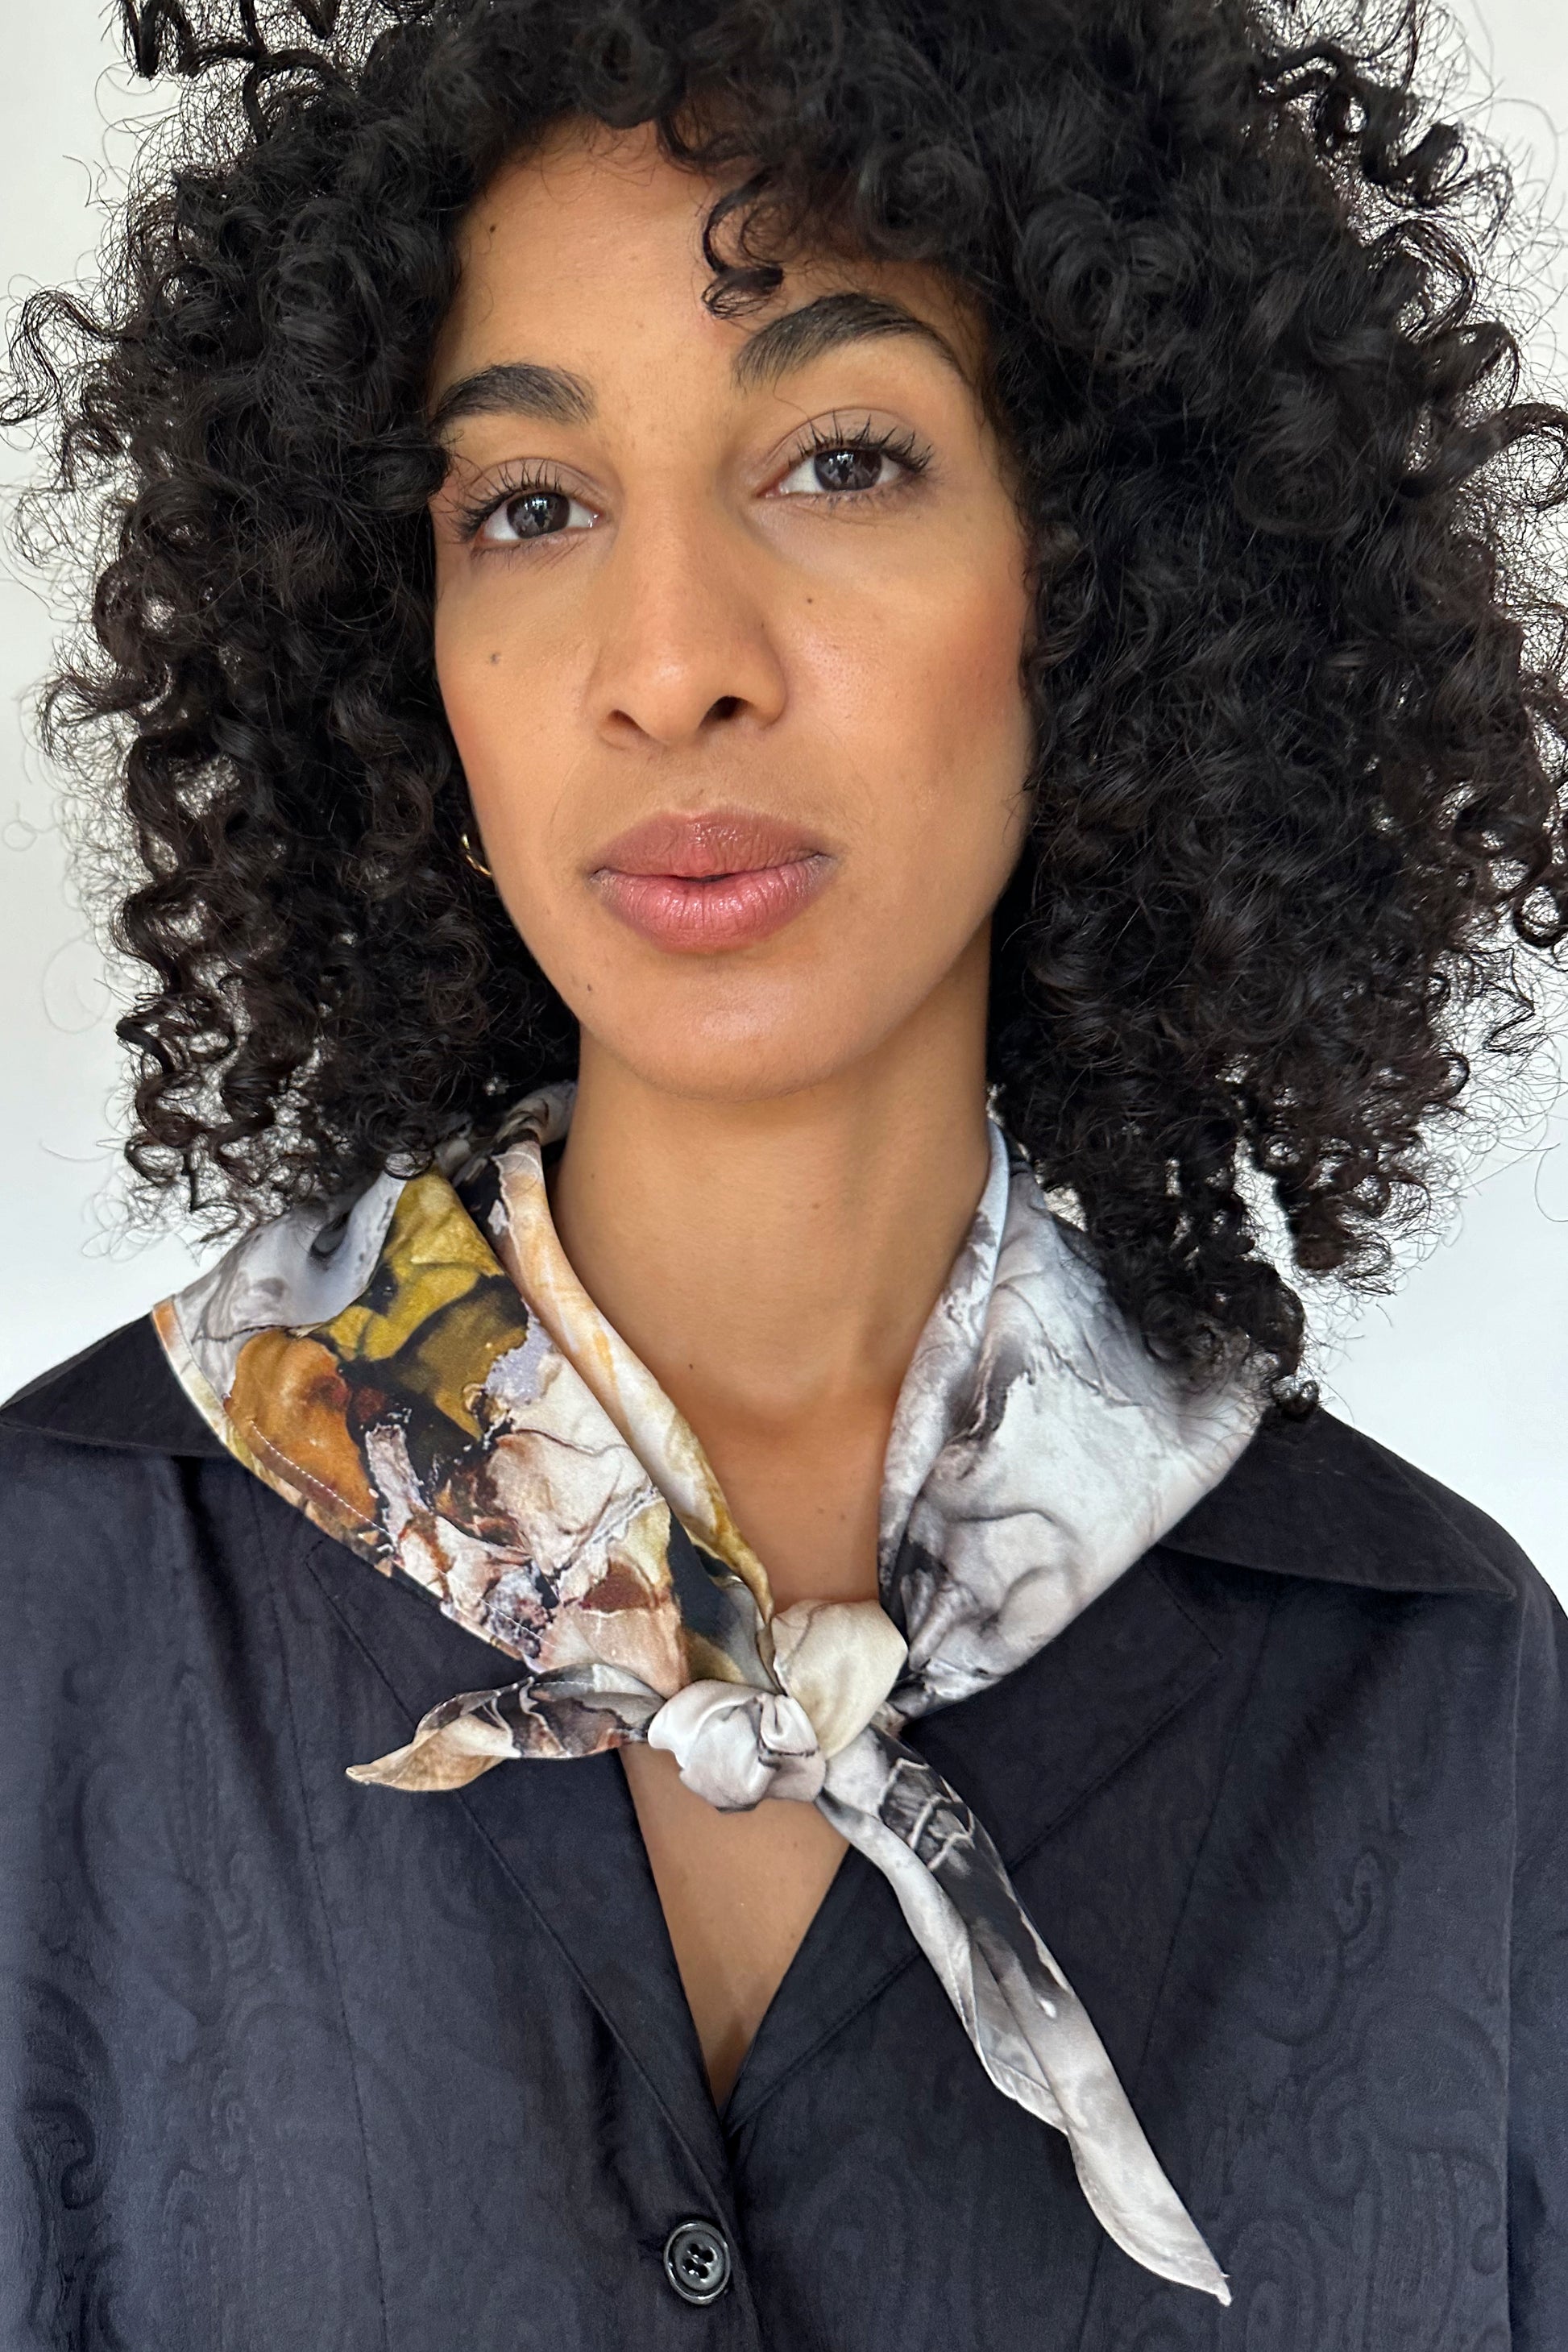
295 2064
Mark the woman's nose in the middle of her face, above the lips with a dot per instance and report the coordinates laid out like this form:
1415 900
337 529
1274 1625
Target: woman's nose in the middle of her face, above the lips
683 632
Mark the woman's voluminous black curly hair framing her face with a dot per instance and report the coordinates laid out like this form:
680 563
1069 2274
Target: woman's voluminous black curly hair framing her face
1296 667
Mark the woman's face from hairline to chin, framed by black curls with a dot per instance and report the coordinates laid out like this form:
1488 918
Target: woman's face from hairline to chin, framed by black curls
730 622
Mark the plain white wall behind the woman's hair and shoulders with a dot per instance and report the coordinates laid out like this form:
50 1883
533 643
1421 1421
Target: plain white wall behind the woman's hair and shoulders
1466 1370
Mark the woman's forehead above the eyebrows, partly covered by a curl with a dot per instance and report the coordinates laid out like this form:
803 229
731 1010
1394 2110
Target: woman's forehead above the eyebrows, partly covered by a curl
596 241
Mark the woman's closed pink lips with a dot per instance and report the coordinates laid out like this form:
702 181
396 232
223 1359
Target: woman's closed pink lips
706 883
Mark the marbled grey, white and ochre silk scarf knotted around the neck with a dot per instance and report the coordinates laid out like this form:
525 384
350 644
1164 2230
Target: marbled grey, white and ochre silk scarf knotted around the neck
429 1382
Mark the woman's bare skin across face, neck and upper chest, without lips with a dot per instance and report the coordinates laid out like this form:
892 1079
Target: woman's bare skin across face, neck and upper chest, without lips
777 1147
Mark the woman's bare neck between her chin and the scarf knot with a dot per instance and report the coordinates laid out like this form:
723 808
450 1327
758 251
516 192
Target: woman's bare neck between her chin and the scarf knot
775 1262
